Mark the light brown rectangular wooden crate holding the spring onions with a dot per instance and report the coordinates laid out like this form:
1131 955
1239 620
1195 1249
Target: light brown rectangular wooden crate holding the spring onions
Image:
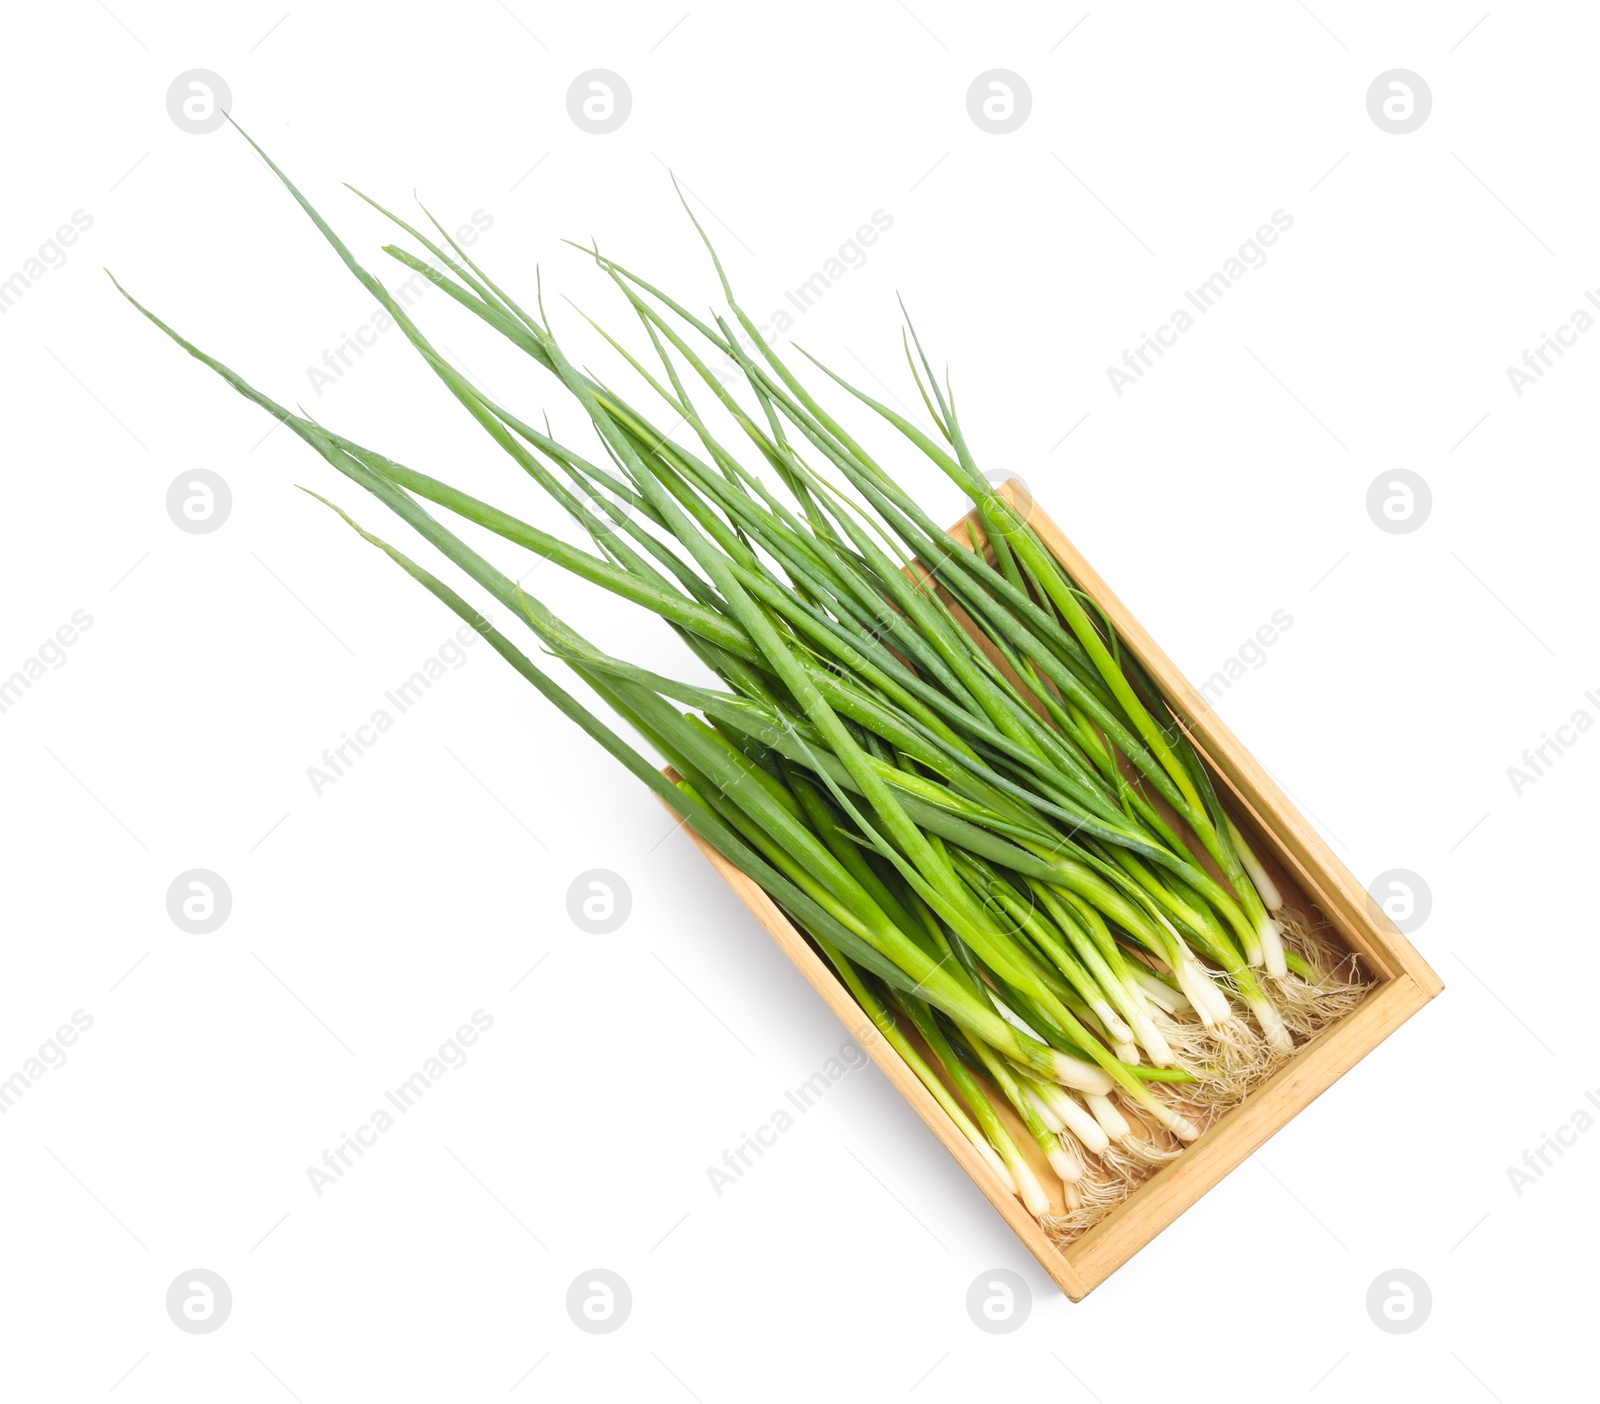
1311 879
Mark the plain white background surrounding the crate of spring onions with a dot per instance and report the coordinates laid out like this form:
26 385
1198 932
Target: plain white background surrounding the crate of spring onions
428 882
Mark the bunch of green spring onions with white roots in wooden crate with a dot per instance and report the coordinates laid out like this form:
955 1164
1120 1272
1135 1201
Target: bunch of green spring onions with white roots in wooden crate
950 775
